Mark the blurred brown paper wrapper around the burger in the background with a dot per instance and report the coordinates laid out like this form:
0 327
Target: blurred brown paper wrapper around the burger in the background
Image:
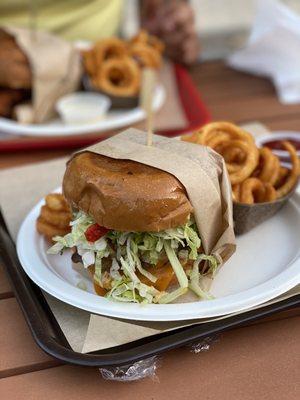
56 71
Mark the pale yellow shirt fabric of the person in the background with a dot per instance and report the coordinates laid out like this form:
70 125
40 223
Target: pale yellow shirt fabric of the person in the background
71 19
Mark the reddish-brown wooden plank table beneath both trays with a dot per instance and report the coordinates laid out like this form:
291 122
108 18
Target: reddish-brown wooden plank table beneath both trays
256 362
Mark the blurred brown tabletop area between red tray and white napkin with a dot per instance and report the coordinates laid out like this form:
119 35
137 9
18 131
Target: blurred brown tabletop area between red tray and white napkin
238 96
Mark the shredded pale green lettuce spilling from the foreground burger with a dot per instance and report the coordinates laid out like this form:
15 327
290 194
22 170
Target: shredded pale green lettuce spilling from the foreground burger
128 251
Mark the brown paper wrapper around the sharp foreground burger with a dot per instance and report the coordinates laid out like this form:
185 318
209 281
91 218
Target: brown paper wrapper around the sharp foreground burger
199 169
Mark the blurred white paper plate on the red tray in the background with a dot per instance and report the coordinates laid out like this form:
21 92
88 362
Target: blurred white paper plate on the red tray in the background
114 120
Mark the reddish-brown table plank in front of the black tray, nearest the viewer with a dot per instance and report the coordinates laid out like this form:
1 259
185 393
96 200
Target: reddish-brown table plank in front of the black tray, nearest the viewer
259 362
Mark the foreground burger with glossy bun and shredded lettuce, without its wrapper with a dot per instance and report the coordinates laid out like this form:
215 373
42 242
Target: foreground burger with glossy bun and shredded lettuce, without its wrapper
133 229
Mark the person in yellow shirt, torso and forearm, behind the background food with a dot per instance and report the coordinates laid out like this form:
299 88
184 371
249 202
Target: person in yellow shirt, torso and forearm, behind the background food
172 21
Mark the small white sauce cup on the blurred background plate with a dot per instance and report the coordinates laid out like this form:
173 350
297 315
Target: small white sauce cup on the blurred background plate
82 107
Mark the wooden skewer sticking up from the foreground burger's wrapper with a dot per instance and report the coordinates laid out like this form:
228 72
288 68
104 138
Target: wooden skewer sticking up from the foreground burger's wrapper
146 100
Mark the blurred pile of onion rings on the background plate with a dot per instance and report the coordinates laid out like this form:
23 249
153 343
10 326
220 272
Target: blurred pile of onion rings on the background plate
114 65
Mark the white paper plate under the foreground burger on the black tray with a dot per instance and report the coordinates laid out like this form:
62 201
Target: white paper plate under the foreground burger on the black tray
265 265
